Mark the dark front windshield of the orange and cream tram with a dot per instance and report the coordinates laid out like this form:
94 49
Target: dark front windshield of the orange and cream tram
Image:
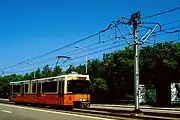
78 86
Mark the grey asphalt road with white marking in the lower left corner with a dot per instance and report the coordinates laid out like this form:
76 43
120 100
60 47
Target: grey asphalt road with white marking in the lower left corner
13 112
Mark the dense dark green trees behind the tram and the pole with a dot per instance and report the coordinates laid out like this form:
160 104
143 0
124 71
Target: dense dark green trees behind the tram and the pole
112 77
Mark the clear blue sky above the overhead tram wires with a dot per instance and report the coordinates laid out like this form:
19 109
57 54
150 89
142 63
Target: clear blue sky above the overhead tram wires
32 27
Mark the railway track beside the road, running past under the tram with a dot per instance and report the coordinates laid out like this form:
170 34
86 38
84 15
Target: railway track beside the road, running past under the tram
97 113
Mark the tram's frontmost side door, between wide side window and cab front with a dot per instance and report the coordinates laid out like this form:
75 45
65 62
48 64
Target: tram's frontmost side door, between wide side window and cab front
61 92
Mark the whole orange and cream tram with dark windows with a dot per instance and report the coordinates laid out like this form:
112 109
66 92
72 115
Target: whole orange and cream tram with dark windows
66 90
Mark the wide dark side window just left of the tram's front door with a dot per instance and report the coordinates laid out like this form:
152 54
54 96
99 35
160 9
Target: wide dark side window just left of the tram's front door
49 87
